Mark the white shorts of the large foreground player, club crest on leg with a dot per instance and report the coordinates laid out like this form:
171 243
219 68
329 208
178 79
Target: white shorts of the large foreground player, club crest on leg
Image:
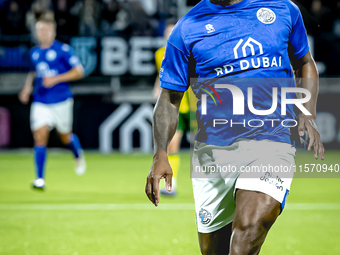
263 166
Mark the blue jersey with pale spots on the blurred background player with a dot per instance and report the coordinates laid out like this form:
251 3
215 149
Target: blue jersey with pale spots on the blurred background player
57 59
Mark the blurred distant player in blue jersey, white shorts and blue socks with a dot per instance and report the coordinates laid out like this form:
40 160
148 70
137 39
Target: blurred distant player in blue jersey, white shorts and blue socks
53 65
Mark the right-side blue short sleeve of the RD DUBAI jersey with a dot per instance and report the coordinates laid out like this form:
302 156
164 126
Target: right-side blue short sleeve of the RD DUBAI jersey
298 40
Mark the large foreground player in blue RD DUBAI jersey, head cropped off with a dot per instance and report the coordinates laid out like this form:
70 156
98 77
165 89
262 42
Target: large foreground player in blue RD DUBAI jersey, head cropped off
226 42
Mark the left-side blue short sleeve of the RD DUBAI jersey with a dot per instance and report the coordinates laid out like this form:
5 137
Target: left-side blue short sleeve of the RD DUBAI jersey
174 73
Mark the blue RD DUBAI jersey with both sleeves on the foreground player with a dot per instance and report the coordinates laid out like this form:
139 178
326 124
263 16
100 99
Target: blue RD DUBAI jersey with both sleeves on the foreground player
247 45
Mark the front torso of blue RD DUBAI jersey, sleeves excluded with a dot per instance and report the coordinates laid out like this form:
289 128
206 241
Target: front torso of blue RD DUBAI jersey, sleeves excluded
243 45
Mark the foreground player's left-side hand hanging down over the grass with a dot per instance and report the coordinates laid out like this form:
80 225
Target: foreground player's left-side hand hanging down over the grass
160 169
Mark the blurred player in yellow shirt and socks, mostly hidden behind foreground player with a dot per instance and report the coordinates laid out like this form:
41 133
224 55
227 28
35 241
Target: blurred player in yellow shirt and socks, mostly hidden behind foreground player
184 118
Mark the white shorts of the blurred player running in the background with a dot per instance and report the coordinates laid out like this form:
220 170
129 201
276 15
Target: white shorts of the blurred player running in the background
59 115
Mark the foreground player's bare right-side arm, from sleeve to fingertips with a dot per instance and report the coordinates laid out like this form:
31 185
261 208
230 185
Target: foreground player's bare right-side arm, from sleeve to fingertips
305 68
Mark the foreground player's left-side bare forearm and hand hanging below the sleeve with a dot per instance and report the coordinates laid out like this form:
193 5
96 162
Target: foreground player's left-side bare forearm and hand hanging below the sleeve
165 120
